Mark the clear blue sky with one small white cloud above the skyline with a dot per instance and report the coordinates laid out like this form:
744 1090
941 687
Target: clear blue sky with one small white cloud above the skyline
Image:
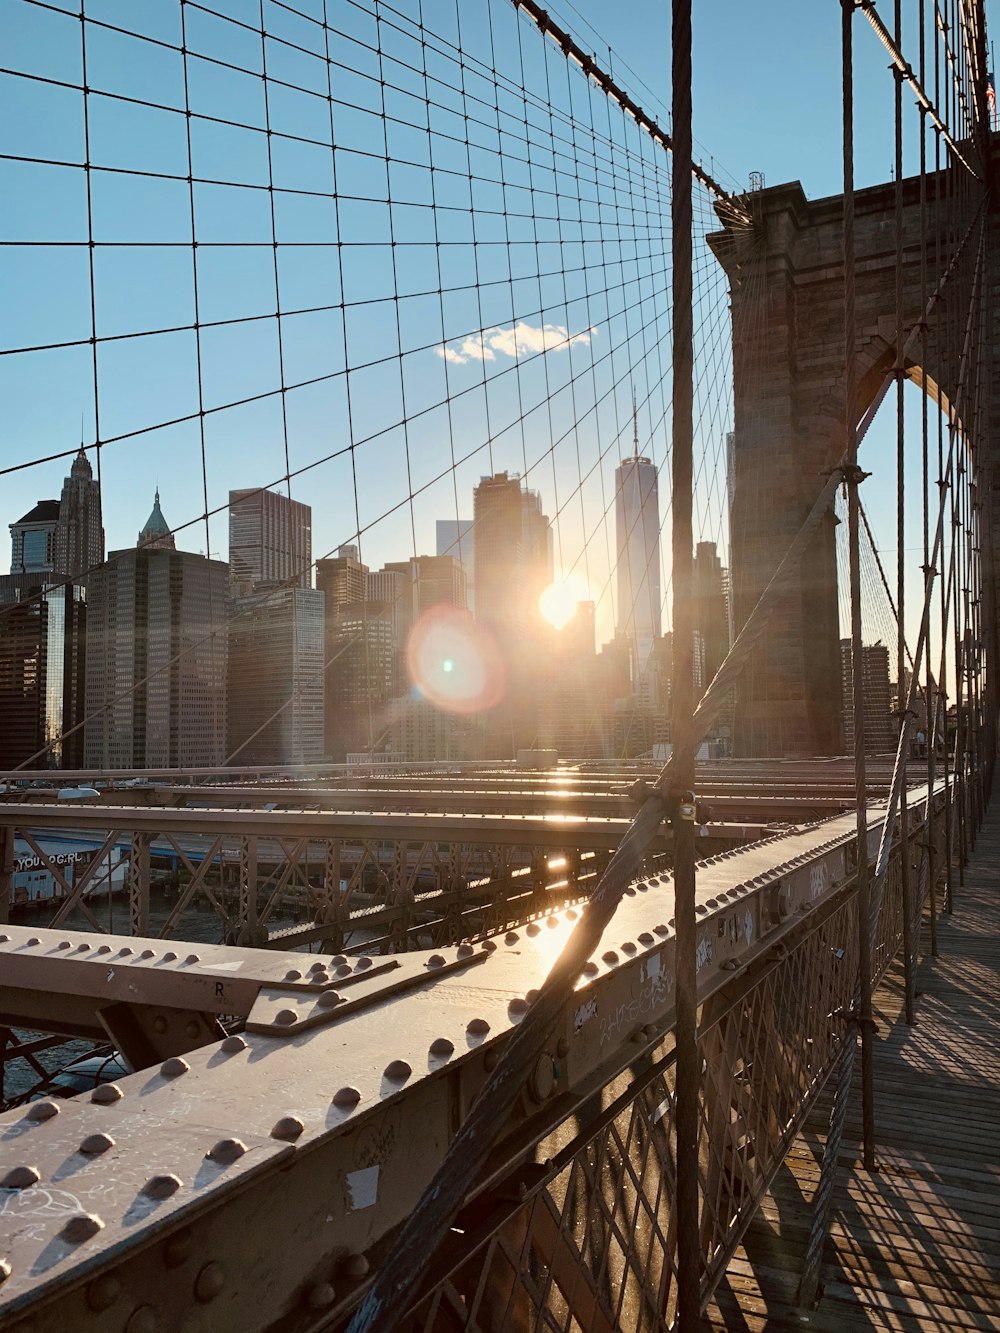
502 247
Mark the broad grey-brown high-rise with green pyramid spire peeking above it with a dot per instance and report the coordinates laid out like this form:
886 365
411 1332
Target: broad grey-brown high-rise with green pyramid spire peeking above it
157 657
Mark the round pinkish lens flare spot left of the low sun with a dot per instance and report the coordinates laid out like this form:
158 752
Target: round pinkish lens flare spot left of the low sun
455 663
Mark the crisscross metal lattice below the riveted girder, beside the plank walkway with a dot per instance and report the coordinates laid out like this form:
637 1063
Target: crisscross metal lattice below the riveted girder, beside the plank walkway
585 1234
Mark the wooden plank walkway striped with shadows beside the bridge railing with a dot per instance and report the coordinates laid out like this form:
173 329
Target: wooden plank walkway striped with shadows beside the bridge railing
915 1246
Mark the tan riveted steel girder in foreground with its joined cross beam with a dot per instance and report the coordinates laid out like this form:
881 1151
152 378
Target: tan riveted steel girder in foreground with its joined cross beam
249 1182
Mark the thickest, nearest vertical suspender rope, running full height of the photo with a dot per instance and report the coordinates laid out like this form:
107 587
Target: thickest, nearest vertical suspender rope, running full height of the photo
686 987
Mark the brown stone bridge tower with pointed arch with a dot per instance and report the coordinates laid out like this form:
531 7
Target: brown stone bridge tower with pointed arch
787 283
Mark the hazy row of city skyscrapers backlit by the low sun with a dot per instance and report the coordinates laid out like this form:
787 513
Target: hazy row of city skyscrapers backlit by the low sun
191 661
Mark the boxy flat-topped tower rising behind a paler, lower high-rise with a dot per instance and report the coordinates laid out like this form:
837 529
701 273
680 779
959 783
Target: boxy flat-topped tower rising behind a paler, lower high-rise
270 541
